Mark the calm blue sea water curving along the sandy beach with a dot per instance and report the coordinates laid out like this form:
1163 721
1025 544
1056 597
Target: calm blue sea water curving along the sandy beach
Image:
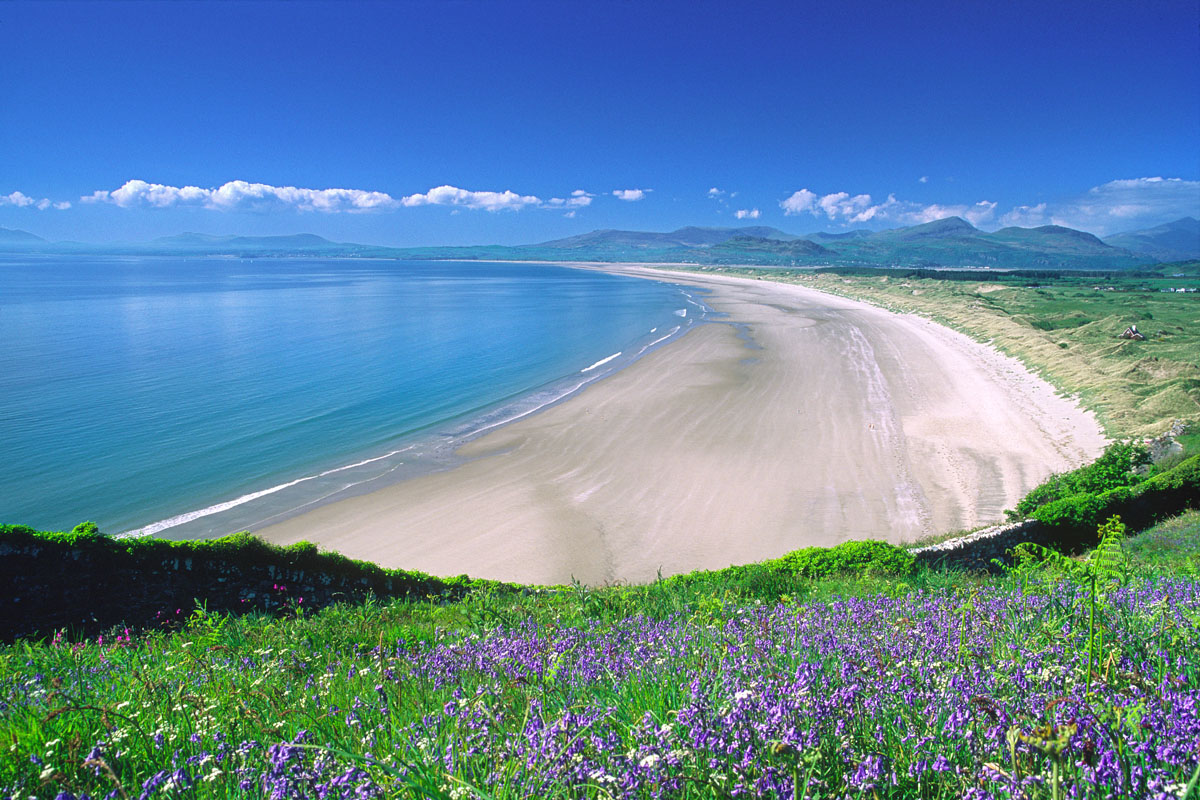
137 392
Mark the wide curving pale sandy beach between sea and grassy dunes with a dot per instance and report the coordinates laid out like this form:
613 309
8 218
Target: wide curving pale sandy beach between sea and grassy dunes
801 419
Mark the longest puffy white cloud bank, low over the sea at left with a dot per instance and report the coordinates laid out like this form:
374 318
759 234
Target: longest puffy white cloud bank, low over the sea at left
243 196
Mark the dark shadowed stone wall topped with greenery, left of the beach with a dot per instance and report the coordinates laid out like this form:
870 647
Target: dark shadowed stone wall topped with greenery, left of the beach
97 585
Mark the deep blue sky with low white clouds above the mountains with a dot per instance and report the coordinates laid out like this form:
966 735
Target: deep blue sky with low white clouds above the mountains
475 123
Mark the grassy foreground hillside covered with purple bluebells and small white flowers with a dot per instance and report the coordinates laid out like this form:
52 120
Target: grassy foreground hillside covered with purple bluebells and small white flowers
747 683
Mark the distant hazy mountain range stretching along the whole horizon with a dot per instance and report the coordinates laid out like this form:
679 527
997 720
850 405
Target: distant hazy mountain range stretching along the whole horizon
952 242
